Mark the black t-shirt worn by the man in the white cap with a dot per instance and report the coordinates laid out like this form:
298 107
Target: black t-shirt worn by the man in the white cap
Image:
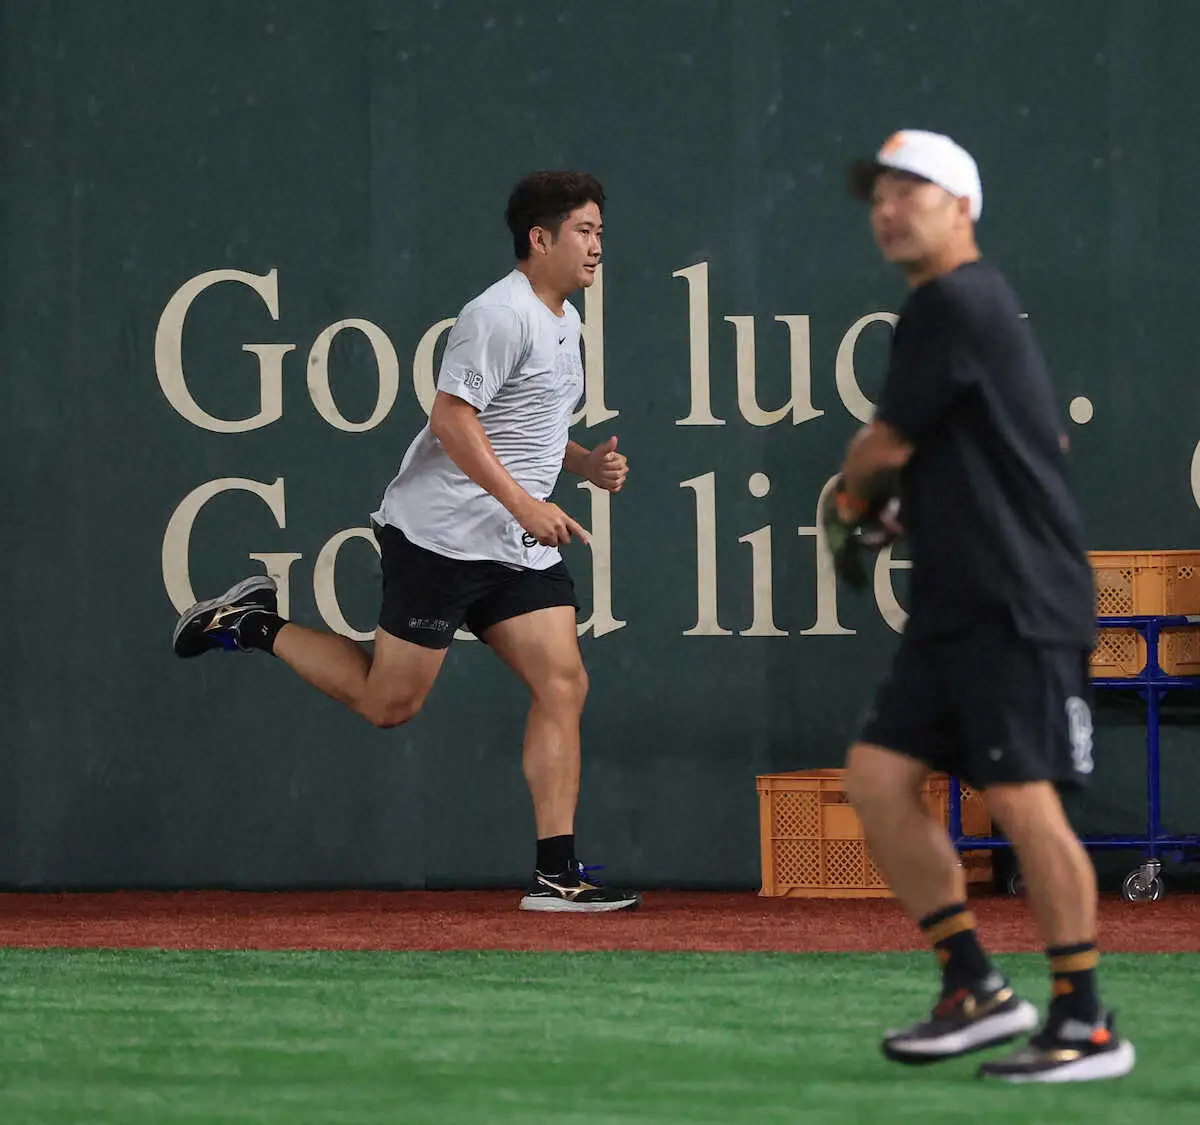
989 518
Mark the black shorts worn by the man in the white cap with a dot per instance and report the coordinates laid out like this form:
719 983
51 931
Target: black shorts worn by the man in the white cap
988 707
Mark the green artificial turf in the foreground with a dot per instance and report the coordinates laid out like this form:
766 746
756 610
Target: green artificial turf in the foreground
118 1038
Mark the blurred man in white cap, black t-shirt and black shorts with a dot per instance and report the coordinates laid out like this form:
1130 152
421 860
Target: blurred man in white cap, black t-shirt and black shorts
991 679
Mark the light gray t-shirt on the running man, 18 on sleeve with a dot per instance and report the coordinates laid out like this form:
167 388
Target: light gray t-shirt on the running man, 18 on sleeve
519 365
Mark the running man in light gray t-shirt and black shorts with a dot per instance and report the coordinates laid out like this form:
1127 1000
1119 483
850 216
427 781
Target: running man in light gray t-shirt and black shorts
470 537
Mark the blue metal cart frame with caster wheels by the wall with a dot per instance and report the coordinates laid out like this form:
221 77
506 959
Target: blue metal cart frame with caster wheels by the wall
1145 882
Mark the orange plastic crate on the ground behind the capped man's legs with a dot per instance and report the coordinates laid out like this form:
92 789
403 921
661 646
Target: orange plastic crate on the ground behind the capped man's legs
813 843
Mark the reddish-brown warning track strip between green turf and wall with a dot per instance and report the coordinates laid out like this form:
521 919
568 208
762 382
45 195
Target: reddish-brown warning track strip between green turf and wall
454 921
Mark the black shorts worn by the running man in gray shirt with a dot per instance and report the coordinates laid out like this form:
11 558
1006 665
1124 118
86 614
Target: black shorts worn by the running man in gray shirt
427 597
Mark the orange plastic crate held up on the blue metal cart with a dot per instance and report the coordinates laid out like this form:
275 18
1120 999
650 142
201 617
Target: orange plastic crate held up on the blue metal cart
1145 582
